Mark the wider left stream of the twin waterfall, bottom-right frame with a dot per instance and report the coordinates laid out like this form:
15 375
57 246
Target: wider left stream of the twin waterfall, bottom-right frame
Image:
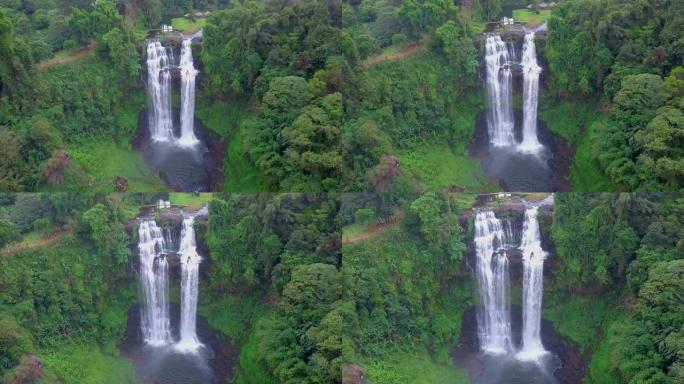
494 323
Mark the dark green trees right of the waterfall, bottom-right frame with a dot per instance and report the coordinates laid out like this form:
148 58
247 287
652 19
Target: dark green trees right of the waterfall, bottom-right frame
628 245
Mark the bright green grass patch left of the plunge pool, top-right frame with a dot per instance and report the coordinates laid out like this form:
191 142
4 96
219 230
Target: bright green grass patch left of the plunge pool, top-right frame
437 167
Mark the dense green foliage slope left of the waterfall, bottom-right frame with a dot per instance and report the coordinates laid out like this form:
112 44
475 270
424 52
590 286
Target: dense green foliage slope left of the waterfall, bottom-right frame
407 286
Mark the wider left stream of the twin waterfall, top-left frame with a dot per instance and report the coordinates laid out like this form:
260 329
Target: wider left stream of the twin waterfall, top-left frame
159 91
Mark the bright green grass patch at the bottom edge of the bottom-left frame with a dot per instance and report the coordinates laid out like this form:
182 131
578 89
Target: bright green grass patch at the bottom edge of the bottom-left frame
86 364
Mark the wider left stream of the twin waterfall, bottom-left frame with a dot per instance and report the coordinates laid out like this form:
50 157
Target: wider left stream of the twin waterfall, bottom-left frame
155 321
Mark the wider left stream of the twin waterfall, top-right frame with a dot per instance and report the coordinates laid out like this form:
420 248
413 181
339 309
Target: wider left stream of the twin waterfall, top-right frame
500 121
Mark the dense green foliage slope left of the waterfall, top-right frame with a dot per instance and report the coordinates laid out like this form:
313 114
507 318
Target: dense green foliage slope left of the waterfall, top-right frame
399 105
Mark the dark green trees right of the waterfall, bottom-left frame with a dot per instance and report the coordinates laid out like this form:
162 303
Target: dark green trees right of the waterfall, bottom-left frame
286 245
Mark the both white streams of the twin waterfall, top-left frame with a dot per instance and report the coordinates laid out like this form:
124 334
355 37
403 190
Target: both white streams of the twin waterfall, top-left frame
159 65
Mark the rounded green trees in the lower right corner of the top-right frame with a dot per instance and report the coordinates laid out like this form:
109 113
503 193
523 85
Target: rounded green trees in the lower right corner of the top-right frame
642 146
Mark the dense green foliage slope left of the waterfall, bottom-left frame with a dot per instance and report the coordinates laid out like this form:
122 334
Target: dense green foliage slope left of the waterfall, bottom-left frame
66 301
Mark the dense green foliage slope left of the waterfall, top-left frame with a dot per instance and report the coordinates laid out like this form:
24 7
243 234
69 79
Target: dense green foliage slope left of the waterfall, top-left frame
48 109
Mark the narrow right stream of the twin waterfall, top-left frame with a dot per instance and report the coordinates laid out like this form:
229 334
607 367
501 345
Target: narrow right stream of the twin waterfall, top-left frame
188 73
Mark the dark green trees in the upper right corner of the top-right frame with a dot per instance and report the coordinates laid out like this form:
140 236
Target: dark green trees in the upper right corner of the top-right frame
594 44
